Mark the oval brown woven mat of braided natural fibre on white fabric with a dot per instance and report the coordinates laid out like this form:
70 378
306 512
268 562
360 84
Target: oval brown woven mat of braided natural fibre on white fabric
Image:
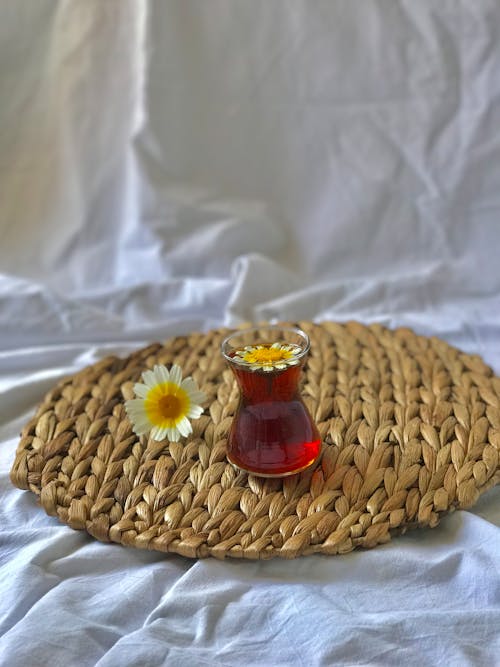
410 428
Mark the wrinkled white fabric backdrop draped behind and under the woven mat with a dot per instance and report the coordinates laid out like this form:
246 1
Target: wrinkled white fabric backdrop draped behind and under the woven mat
170 166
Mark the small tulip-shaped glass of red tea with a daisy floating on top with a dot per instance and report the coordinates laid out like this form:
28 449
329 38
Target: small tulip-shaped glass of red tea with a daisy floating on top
272 434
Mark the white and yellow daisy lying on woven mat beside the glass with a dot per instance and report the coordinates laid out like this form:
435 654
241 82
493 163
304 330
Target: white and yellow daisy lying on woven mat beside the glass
165 404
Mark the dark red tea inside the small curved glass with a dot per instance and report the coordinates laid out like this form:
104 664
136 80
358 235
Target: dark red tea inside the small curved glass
272 433
